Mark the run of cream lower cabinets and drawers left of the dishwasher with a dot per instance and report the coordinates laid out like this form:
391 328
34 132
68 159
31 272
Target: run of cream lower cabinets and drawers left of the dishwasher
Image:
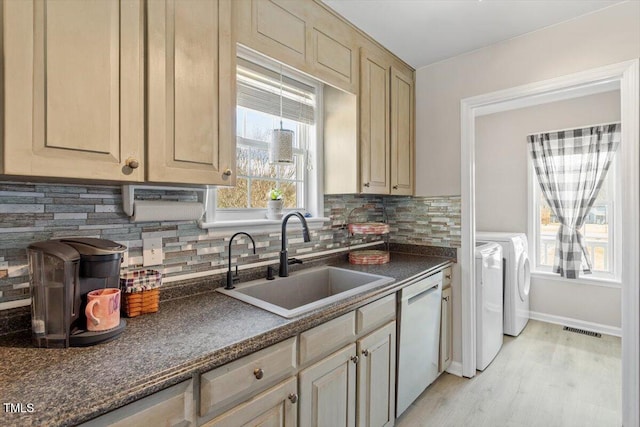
345 377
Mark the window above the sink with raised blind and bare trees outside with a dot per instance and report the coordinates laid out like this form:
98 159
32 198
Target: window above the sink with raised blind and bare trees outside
270 96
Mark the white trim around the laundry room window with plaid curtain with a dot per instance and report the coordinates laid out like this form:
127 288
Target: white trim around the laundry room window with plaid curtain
595 279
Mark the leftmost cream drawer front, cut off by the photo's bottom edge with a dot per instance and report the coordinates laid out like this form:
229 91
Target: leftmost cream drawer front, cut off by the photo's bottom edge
170 407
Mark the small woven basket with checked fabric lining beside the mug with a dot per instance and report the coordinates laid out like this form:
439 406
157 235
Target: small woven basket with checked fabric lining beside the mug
140 293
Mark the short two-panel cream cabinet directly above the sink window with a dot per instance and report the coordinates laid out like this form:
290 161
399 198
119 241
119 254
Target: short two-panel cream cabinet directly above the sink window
302 34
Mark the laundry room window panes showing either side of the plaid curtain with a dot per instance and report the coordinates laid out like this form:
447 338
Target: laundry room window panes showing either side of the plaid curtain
601 231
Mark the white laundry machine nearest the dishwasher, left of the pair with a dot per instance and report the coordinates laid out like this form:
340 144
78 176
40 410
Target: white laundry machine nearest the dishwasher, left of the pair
489 317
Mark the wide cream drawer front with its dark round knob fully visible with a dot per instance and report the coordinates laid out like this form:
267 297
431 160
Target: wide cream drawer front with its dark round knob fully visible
227 385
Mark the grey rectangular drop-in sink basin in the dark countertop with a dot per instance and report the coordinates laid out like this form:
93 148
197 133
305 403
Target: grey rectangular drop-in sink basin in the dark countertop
305 290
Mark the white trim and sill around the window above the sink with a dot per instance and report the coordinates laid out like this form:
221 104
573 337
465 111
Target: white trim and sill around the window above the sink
255 219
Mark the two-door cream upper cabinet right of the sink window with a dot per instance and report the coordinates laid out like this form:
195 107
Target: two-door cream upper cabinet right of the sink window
386 124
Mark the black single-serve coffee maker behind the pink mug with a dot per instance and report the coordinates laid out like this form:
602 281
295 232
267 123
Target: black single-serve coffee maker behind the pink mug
62 273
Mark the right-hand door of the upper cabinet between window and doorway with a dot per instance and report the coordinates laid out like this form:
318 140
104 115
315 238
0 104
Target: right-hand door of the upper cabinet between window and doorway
402 133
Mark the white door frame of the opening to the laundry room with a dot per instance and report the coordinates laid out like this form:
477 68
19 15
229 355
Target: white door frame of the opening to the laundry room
627 75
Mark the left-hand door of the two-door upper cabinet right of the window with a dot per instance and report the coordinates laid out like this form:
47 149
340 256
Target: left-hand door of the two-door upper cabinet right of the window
374 122
